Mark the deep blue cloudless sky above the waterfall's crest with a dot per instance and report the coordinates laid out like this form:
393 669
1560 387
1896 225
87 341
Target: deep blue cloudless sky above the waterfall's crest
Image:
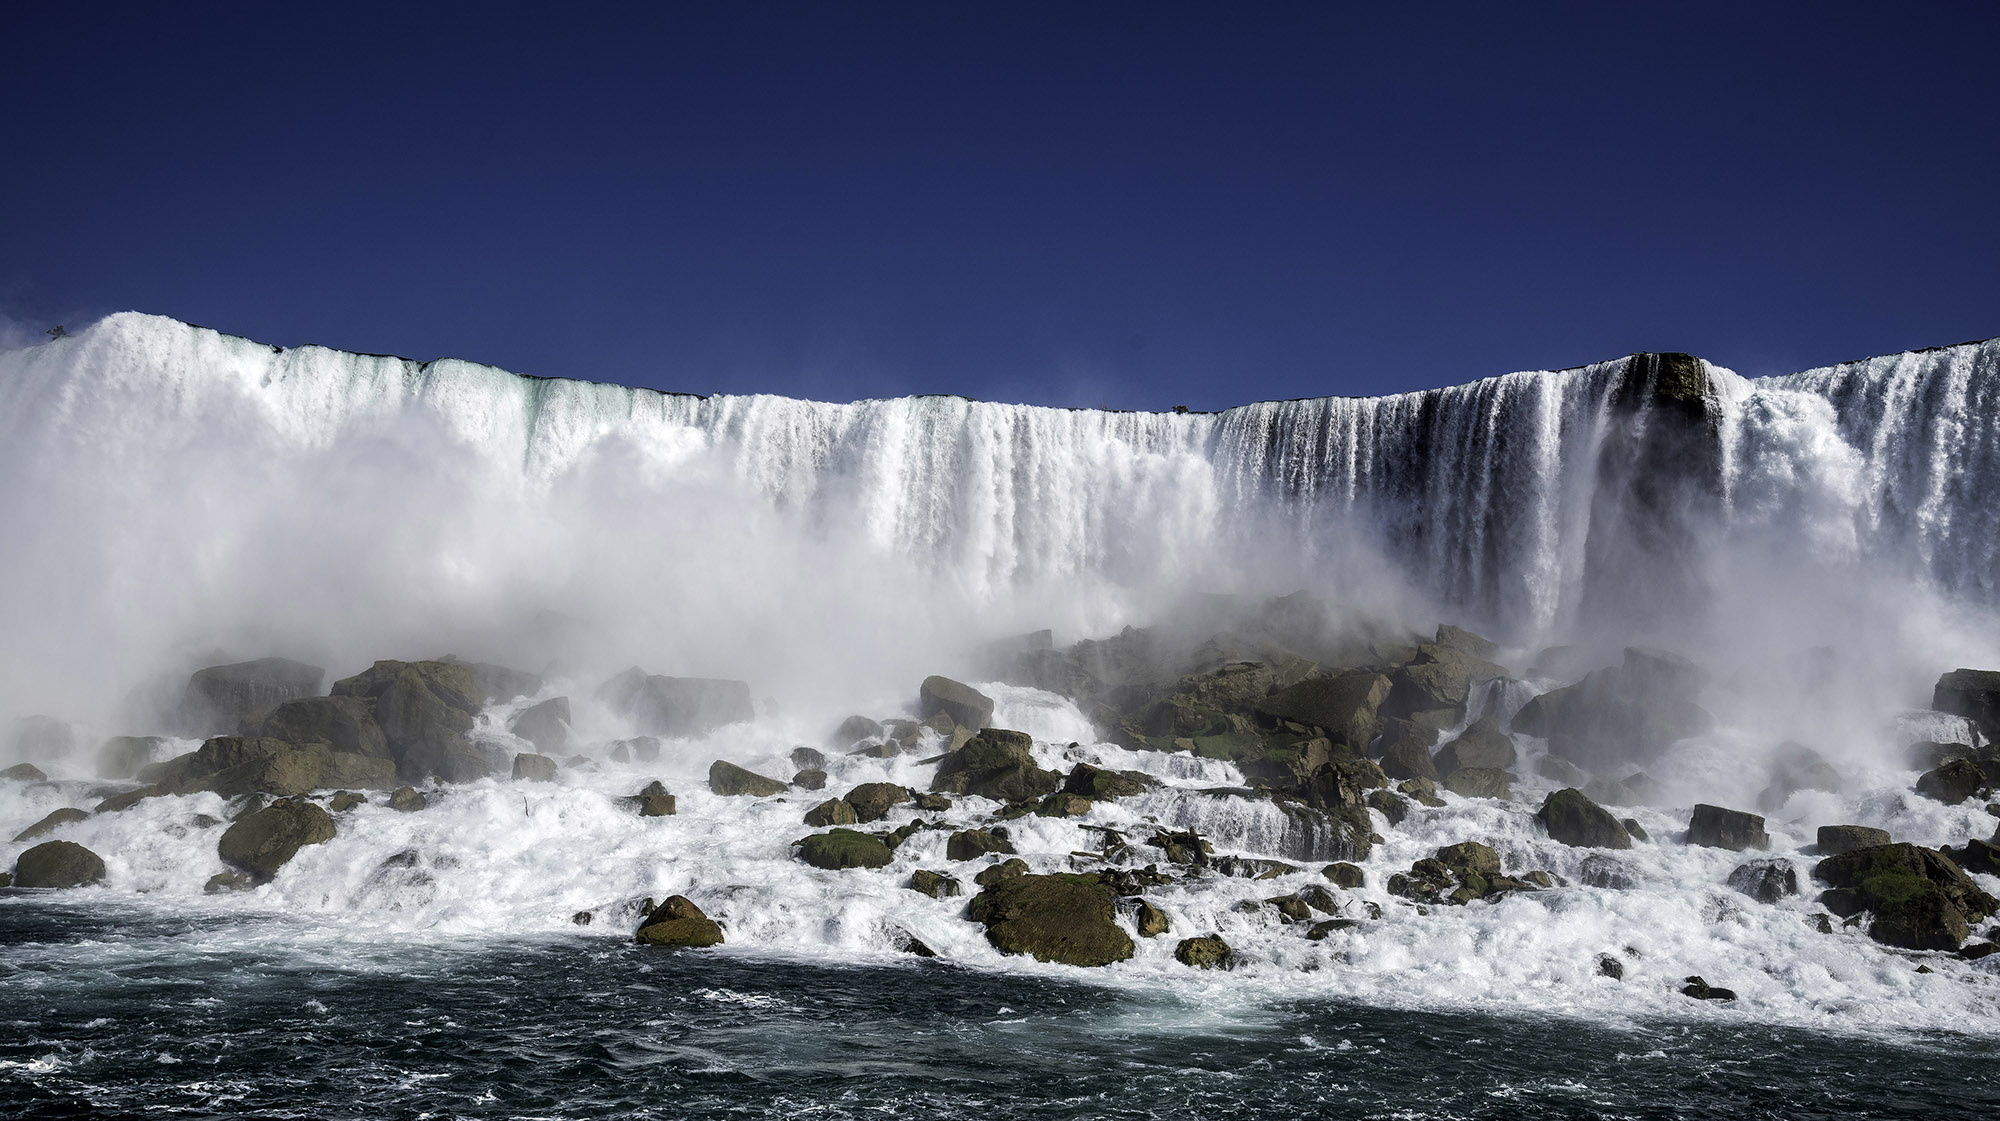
1131 205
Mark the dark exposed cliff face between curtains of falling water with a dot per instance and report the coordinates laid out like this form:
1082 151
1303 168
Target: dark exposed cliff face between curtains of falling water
1659 493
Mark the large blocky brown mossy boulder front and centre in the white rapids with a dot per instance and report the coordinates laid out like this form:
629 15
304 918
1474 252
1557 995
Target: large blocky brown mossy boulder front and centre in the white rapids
1053 918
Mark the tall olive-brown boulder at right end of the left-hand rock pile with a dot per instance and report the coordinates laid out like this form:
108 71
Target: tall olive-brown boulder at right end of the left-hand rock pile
425 712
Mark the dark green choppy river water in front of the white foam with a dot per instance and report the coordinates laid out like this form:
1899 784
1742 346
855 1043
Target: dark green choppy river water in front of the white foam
125 1014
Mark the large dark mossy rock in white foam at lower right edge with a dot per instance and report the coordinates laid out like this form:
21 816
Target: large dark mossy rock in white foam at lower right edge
1919 898
